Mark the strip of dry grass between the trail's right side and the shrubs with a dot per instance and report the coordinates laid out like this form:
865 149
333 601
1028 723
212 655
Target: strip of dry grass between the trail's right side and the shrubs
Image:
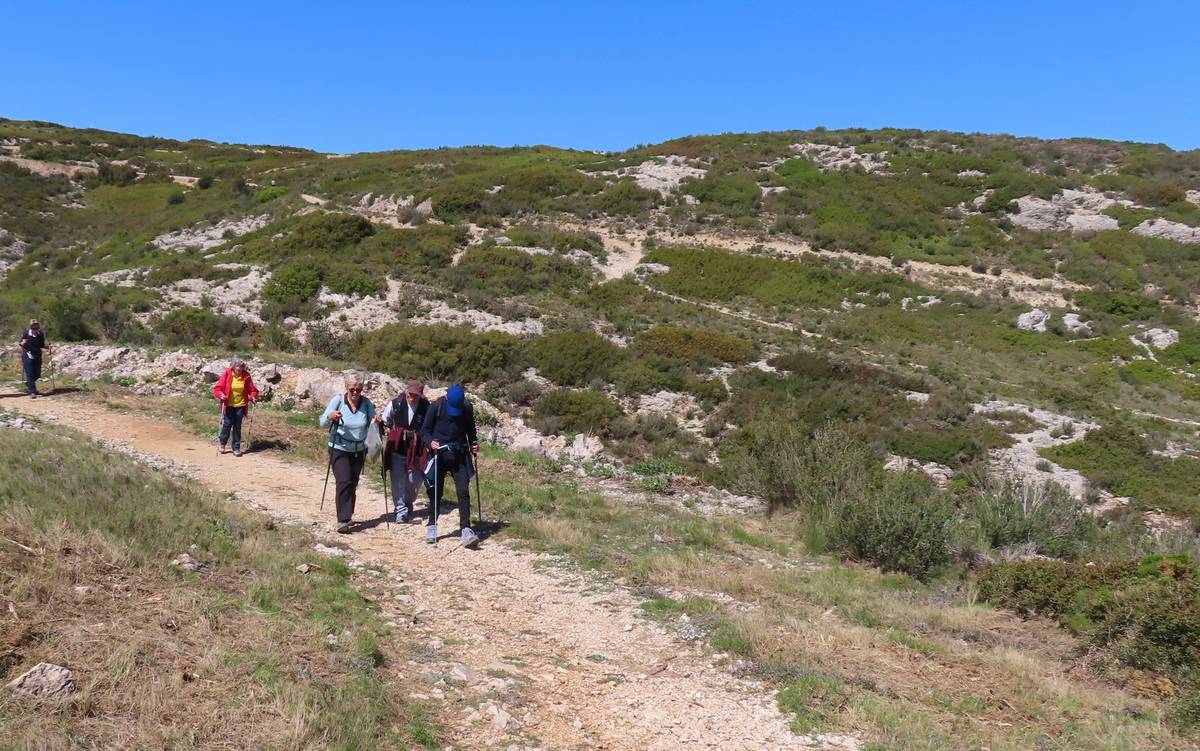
899 664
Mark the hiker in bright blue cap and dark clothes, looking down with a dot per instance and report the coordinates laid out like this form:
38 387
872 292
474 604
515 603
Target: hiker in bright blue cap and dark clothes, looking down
449 431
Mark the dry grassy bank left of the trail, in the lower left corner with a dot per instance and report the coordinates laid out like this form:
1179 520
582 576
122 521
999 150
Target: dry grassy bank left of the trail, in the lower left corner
231 658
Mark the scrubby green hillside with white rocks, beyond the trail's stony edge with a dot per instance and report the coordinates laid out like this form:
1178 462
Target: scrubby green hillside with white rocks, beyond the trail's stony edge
671 299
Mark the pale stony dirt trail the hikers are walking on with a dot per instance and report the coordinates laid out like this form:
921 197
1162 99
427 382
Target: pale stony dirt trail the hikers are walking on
553 660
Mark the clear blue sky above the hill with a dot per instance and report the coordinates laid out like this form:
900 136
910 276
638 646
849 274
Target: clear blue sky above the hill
370 76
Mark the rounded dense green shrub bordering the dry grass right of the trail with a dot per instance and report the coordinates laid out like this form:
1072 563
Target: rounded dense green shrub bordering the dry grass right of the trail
899 525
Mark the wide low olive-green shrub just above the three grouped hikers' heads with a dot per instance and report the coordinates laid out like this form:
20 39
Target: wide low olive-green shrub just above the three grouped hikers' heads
439 353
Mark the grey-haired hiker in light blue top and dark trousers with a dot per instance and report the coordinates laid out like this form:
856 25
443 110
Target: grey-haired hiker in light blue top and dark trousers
352 416
